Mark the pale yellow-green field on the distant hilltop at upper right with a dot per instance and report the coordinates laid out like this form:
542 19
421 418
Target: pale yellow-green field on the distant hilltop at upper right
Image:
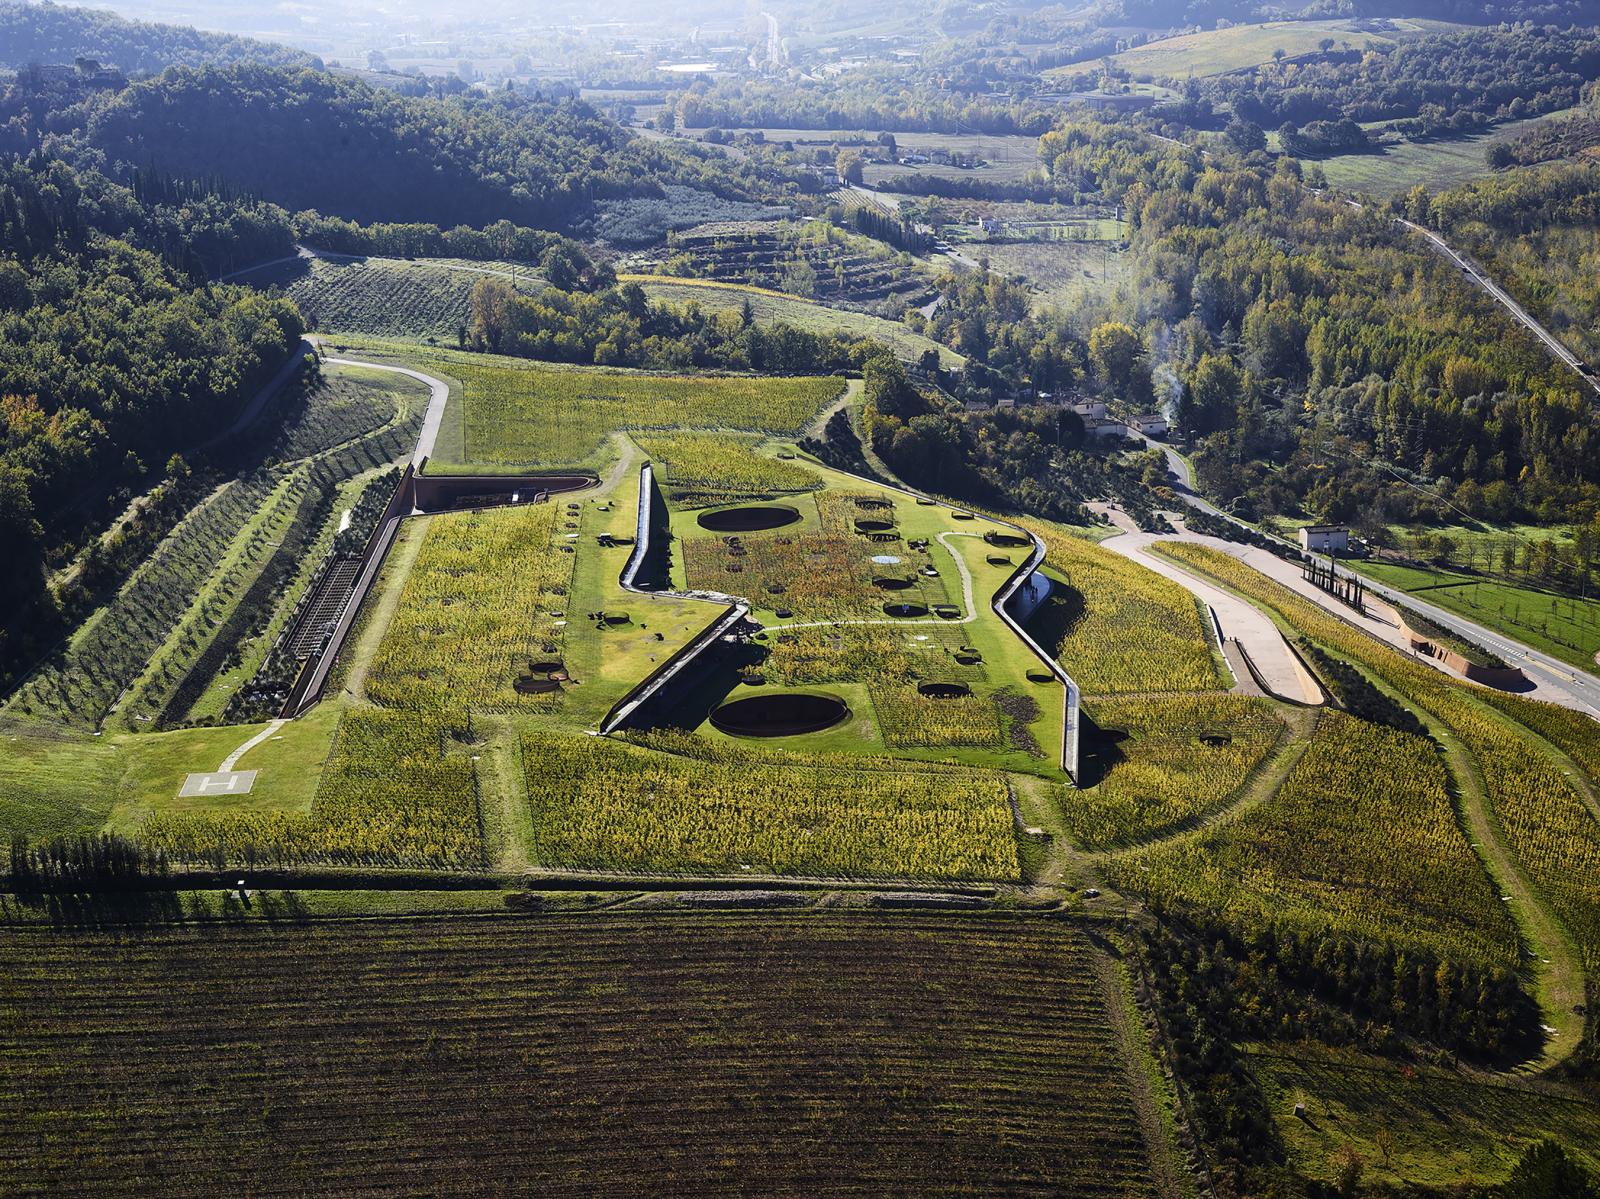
1217 52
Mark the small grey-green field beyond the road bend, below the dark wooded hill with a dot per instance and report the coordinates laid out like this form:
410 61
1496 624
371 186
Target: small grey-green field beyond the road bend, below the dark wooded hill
412 300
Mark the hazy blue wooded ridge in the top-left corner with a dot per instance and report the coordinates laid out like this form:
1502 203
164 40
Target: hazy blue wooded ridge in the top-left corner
33 33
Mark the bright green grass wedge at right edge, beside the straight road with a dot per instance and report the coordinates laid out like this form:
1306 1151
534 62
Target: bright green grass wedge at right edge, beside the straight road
1564 628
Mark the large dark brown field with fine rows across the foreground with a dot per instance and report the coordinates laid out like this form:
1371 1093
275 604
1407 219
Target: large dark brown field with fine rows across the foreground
809 1056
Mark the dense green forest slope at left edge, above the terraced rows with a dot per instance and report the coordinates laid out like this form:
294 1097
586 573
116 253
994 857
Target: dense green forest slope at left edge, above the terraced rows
110 363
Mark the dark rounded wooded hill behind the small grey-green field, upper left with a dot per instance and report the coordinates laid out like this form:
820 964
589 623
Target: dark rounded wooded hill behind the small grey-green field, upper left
342 146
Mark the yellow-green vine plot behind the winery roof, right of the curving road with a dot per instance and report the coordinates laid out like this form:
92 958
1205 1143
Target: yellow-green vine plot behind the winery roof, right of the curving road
510 417
